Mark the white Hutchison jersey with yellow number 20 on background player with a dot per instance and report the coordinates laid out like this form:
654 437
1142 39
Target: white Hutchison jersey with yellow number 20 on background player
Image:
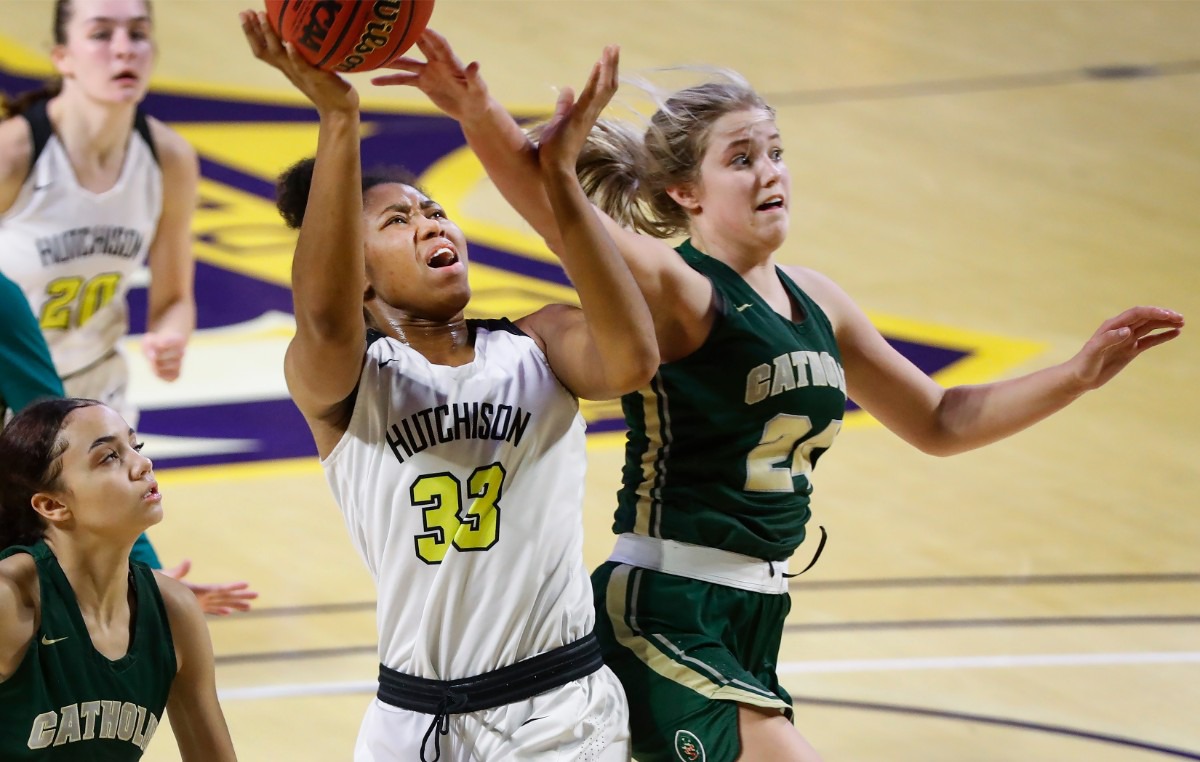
73 251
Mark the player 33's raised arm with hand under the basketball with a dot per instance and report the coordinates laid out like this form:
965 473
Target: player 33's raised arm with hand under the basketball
325 359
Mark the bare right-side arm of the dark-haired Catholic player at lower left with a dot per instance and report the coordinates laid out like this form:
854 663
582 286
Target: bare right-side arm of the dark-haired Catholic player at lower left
196 717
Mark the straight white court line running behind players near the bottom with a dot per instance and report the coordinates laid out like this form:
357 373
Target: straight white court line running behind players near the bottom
796 668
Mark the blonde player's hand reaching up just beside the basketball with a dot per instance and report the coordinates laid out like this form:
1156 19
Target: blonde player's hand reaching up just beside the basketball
457 89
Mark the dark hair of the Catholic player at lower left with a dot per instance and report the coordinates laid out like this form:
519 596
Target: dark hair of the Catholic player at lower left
31 449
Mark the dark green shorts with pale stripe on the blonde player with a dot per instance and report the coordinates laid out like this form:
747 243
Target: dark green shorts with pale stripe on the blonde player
688 653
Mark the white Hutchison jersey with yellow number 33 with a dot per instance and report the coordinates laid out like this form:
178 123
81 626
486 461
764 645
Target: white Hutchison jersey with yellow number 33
463 490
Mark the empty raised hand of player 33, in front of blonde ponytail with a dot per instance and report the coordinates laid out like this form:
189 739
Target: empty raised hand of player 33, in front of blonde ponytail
563 137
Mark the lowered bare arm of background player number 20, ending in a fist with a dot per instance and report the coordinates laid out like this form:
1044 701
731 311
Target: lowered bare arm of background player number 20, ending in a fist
172 310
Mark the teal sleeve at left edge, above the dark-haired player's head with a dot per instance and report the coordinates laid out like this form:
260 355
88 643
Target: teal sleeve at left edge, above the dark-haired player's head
26 369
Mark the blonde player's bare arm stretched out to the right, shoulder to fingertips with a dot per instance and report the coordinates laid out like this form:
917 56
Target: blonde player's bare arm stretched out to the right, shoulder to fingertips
947 422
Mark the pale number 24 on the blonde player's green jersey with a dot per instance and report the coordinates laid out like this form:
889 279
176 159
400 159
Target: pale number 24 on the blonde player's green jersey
781 457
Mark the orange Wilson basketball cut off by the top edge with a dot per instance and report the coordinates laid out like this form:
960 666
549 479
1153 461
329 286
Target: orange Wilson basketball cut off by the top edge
350 35
